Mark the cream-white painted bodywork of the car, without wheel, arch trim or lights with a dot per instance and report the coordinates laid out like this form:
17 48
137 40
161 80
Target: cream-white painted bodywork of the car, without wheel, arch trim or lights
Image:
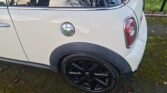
31 34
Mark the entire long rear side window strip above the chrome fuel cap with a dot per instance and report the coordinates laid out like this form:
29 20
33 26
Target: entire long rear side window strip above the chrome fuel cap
65 3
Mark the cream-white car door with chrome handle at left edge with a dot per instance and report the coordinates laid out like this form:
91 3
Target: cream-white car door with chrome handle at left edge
10 46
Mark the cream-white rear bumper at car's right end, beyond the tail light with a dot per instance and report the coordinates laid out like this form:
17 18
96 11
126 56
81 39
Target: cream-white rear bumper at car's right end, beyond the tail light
136 54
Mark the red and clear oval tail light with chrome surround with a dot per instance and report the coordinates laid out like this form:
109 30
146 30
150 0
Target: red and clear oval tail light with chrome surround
130 29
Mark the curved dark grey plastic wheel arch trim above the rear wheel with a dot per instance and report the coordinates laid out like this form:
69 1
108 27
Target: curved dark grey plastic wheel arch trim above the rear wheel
96 50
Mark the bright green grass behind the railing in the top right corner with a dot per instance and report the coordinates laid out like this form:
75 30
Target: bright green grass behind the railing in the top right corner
153 6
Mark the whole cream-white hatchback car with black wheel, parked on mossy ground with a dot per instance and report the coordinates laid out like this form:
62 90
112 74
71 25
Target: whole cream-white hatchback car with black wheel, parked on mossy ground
92 42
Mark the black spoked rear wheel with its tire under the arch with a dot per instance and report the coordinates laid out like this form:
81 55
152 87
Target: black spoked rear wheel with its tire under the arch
89 73
